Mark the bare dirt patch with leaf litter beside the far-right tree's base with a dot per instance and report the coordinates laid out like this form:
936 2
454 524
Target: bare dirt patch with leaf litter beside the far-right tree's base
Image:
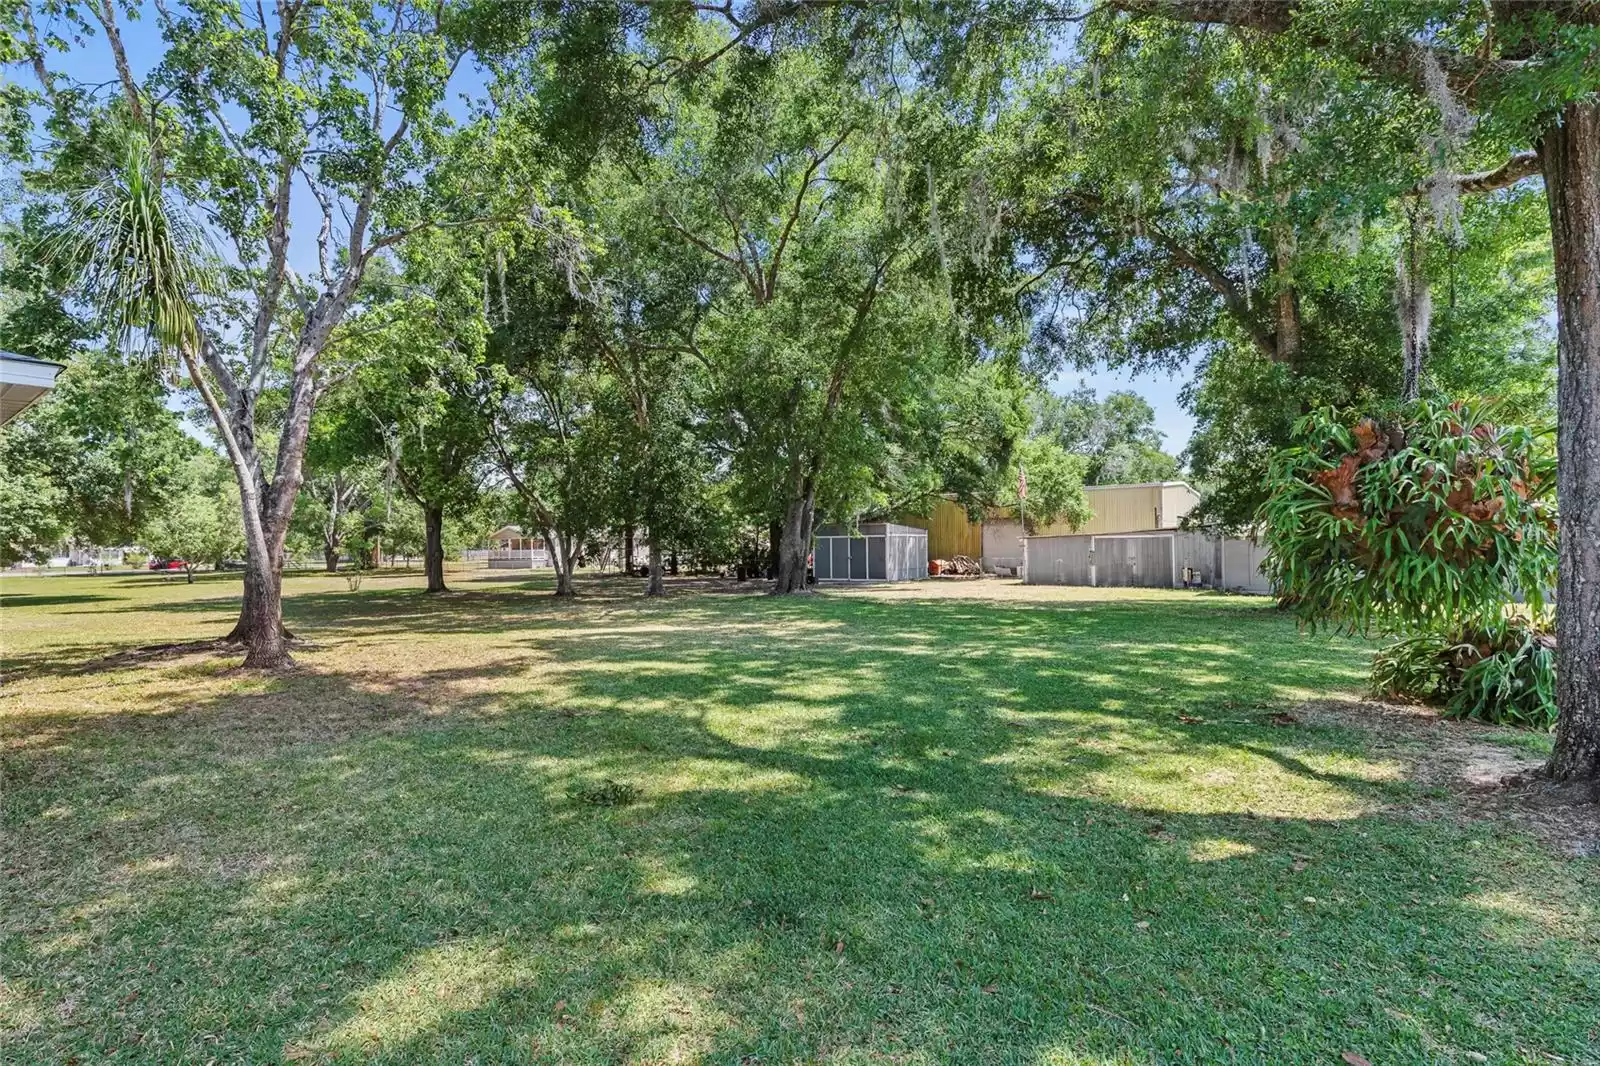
1481 775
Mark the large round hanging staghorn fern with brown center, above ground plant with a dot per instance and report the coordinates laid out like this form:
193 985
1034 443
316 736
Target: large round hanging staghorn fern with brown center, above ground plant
1426 519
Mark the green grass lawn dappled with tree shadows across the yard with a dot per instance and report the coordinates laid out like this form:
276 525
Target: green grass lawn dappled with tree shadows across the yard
932 825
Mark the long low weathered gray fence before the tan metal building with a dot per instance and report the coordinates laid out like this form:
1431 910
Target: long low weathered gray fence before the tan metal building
1162 559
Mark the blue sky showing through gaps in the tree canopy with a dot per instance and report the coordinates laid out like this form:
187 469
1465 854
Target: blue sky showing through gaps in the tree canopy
92 63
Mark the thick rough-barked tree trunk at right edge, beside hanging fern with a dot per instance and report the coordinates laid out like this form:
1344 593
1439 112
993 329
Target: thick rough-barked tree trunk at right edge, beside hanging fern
1570 154
